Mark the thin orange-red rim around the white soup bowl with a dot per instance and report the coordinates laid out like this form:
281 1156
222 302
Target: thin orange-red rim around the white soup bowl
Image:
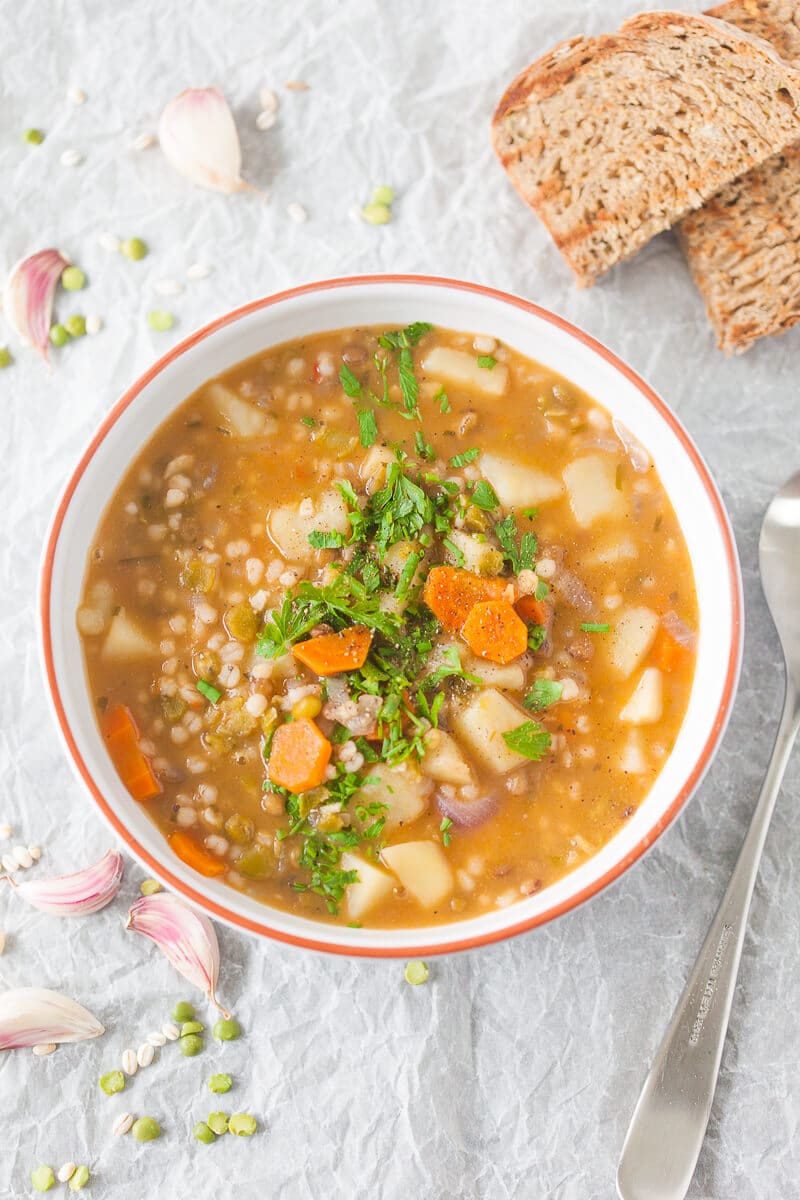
458 944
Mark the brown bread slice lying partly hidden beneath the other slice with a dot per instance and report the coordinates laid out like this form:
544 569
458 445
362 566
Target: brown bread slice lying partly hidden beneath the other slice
744 247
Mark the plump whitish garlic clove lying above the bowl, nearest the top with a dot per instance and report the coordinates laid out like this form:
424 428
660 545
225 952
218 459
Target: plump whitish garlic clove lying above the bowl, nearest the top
199 137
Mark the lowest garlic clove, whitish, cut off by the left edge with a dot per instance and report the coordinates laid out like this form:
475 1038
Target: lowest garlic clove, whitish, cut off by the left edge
31 1017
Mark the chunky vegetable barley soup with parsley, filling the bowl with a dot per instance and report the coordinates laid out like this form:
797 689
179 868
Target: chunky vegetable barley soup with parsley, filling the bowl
389 627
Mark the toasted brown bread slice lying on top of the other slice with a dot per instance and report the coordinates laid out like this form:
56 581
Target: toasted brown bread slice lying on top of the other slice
612 140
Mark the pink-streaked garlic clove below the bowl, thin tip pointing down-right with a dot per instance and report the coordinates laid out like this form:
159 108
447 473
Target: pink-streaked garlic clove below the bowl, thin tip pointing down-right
185 937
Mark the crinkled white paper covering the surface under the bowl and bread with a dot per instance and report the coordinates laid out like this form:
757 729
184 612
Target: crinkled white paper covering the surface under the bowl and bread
514 1072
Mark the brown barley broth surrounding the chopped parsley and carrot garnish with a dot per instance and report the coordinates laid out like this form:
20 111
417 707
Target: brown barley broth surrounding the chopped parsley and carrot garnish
194 511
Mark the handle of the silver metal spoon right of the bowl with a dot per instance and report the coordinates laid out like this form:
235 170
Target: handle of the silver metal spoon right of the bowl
669 1125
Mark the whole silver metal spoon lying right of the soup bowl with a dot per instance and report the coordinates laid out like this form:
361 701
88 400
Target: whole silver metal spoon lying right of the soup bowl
669 1125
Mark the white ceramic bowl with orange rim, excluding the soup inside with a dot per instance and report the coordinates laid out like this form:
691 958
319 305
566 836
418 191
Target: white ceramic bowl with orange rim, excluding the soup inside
395 302
